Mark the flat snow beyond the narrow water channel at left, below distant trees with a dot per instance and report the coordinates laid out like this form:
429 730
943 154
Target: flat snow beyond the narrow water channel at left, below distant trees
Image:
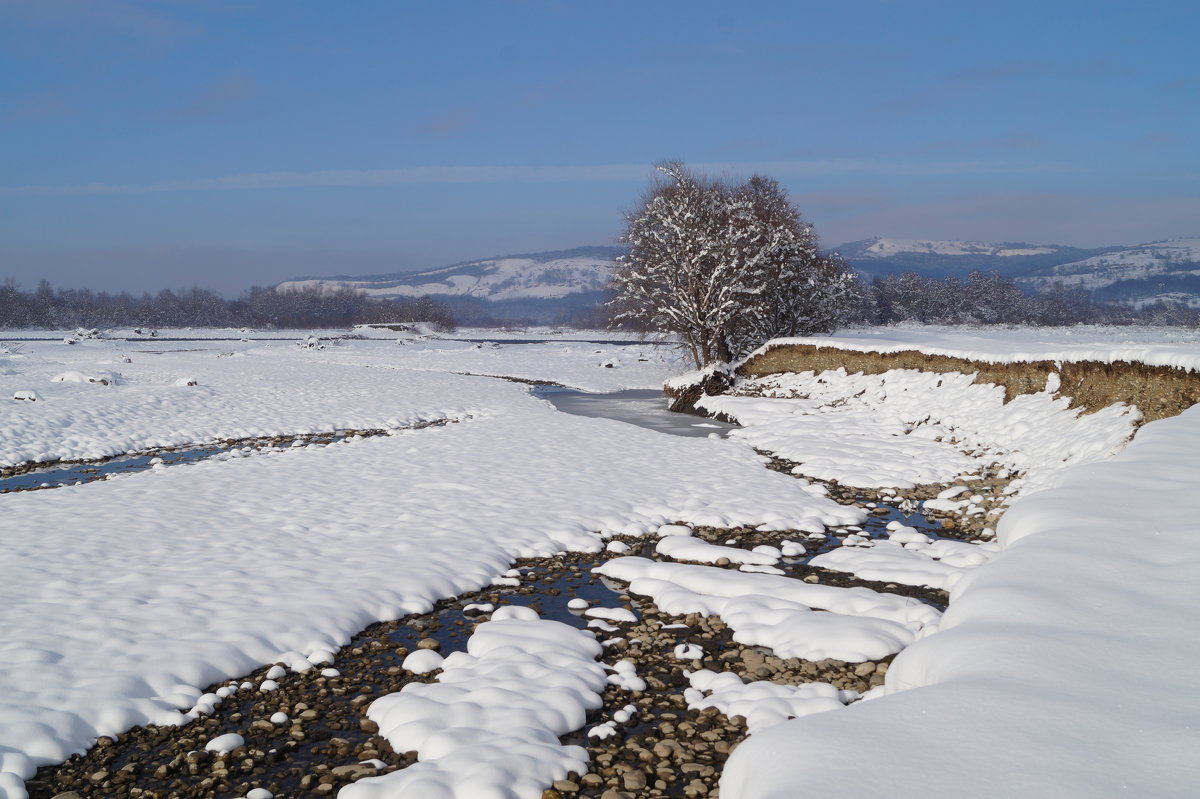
274 391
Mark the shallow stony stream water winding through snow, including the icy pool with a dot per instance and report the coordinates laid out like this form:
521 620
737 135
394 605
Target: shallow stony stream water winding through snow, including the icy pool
331 742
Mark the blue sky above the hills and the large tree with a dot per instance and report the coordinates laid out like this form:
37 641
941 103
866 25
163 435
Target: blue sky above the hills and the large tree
171 143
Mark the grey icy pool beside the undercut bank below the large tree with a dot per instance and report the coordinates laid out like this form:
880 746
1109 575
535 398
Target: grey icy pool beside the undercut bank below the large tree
643 407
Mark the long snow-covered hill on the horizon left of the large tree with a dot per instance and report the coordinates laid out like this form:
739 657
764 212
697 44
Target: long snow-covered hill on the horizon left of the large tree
538 277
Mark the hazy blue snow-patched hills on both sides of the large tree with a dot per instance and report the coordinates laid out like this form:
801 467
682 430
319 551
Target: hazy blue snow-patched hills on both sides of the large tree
562 286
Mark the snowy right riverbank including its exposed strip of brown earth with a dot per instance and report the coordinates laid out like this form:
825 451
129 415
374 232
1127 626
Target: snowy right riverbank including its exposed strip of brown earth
1037 682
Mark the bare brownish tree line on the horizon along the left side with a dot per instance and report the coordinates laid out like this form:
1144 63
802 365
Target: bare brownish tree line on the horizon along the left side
46 308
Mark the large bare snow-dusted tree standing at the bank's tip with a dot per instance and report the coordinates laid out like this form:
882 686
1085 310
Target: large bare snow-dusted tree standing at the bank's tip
725 267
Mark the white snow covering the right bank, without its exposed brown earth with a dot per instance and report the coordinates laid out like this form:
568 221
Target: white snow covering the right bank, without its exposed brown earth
1059 669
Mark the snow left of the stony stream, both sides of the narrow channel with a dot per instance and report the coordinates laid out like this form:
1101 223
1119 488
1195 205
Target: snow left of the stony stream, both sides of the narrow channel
122 600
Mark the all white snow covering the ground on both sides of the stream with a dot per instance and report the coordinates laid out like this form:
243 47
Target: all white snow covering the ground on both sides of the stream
1059 670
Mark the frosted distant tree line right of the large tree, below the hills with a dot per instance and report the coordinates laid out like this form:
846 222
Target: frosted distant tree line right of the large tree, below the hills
993 299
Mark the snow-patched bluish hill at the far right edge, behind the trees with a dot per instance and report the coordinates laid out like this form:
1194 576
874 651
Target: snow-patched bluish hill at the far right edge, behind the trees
1130 274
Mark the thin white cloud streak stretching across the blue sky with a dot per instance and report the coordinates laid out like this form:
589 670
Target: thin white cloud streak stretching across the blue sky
601 173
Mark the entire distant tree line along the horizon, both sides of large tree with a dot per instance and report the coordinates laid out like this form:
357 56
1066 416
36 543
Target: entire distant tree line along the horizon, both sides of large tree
980 299
